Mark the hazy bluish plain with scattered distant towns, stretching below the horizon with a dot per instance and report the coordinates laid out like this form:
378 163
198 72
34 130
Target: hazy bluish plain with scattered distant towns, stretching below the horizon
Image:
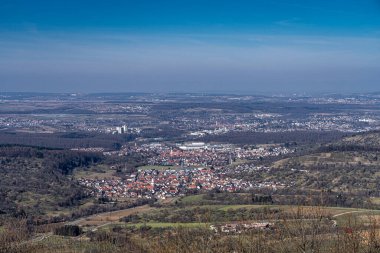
138 114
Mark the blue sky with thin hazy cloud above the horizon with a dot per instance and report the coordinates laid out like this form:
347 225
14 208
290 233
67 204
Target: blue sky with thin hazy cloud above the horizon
190 46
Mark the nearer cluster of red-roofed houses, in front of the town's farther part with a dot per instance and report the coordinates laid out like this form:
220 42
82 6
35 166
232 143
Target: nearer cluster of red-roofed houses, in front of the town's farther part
164 183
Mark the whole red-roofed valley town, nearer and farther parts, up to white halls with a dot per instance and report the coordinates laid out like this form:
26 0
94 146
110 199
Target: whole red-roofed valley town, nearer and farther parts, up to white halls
190 167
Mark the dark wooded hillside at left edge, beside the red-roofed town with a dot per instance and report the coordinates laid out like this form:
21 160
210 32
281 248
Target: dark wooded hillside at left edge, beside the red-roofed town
34 180
